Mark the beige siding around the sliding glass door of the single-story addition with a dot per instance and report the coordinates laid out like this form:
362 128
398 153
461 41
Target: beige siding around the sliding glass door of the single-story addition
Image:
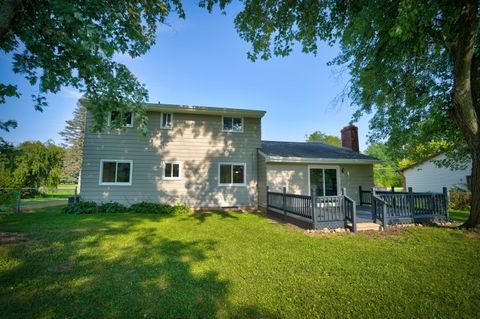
294 176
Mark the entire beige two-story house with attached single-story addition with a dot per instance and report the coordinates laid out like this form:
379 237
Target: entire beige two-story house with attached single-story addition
212 157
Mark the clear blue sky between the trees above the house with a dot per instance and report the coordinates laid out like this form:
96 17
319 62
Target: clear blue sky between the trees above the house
203 61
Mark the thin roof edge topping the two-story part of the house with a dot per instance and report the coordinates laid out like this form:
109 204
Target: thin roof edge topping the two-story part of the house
204 110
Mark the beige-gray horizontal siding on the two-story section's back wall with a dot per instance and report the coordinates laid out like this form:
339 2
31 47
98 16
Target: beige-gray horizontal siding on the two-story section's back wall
195 140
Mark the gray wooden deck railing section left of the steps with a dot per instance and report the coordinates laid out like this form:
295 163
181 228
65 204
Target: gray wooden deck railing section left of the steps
320 211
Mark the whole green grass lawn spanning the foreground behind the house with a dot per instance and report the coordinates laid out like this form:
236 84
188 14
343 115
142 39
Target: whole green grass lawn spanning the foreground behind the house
229 265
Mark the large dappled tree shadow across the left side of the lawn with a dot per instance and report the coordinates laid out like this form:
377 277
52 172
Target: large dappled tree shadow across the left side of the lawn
115 272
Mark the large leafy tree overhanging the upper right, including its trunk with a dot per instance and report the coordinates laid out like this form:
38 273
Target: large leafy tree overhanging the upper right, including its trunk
415 65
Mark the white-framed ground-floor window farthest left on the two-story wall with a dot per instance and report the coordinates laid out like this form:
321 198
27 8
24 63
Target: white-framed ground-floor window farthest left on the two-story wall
116 172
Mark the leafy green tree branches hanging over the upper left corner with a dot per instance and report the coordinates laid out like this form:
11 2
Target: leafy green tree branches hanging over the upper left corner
60 43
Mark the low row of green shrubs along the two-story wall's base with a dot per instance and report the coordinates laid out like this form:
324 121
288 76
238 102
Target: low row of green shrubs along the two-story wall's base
137 208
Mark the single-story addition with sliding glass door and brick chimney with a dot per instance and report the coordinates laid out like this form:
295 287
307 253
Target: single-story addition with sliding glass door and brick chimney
301 167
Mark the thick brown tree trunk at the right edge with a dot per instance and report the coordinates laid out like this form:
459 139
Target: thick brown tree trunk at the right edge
466 108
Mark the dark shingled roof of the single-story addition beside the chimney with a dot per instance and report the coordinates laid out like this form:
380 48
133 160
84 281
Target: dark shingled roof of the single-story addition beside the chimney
298 152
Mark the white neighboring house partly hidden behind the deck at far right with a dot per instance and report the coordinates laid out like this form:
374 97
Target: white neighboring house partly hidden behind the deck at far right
426 176
